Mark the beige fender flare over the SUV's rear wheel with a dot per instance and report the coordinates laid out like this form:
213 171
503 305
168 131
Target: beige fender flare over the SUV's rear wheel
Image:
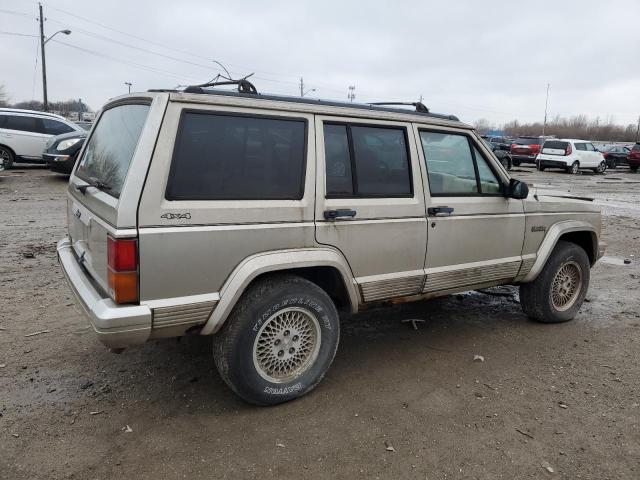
260 263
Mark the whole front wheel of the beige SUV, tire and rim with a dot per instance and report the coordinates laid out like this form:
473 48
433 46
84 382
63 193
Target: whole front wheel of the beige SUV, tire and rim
556 295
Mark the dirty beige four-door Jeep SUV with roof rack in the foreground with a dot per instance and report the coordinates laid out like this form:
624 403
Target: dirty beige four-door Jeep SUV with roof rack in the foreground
257 219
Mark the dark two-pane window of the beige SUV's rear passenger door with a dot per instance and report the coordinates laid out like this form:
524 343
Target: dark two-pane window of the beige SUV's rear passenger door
366 161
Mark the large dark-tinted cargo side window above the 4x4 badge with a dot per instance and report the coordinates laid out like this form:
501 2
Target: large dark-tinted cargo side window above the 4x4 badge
229 157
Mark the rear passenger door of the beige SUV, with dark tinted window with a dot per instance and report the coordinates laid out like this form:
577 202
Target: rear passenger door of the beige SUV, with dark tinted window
370 203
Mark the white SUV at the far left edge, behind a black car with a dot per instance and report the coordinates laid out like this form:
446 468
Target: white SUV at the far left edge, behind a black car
24 134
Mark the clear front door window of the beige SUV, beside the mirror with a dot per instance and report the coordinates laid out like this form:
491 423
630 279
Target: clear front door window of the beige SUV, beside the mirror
454 168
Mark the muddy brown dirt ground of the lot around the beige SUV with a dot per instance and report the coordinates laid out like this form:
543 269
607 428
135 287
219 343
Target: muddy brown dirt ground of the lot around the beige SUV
397 402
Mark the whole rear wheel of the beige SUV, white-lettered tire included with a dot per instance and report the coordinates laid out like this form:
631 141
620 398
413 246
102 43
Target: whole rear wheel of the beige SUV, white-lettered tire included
279 341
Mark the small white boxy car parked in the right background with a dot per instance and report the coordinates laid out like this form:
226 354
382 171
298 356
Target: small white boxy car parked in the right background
571 156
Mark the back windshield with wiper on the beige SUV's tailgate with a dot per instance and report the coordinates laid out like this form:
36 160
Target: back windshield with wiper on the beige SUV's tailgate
111 146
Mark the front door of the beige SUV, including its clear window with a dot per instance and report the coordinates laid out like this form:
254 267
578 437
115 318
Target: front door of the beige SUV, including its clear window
475 233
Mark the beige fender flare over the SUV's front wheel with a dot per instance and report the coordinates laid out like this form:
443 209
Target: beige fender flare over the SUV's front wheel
579 232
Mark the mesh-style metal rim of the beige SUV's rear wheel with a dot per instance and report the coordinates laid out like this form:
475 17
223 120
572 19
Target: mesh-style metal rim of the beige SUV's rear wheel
287 344
